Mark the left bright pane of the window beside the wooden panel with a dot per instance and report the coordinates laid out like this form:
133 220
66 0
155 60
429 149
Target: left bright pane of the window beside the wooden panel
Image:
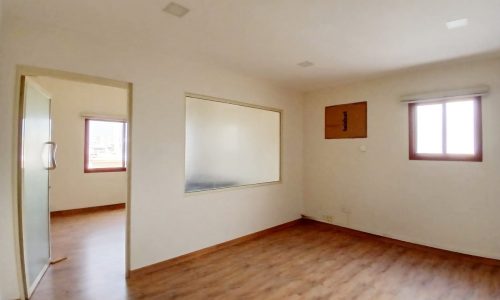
430 128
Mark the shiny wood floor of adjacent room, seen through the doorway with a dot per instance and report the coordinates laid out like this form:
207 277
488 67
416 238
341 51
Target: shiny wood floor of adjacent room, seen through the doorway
95 246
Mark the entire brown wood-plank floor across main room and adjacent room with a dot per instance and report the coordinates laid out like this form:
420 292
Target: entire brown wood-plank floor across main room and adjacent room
307 261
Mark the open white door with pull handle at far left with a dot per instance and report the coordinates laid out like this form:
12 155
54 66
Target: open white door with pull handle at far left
37 158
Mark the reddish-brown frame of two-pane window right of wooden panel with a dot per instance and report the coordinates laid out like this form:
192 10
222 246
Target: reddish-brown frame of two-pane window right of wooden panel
478 139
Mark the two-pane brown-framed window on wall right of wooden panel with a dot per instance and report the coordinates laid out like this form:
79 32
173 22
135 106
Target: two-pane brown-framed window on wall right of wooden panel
446 130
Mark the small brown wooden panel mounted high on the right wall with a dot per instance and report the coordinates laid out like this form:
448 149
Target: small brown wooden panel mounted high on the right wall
346 121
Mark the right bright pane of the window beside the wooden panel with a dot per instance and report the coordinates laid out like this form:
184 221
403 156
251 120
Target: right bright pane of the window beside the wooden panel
460 127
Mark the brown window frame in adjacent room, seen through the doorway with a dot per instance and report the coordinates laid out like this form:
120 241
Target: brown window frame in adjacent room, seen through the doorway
86 169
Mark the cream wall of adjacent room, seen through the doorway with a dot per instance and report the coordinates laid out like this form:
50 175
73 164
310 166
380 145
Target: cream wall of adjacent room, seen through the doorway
70 187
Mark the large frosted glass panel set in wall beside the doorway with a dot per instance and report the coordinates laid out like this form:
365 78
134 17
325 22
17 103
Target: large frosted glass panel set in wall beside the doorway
230 145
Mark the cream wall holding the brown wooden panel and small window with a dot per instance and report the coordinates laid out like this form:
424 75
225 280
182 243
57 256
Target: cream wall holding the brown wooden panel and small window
450 205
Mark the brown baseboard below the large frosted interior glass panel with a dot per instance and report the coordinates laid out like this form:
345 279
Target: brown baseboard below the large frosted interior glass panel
192 255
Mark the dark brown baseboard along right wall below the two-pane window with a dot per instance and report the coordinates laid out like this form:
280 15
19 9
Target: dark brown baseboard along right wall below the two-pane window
438 251
